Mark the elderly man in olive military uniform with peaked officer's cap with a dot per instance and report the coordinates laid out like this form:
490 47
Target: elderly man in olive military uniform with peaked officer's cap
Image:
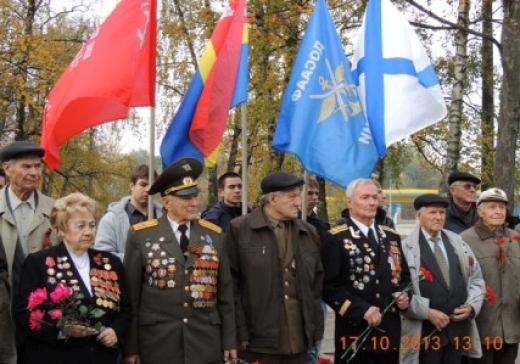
179 279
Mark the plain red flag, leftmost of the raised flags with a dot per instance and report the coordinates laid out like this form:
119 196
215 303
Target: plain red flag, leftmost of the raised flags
115 70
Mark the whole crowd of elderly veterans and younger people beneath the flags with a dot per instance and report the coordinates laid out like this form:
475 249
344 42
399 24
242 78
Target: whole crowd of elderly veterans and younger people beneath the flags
254 288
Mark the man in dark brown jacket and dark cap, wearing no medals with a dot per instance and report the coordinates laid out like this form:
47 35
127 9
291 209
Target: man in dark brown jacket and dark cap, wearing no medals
277 276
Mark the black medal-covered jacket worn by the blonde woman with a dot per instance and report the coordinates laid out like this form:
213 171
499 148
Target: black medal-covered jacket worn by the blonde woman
51 266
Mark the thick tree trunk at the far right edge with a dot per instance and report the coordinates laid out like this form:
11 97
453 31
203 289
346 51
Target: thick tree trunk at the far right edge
507 133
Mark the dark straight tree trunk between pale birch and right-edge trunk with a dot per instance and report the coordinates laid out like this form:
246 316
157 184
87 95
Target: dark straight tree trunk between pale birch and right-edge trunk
488 104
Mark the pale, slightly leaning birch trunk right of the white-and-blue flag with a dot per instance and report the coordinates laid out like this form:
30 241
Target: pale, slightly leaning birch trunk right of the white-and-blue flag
455 111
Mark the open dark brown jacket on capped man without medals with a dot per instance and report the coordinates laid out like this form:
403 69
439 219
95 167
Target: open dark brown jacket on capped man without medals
256 273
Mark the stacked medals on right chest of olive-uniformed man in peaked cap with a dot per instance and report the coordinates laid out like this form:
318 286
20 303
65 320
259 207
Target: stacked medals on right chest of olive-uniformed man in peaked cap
204 278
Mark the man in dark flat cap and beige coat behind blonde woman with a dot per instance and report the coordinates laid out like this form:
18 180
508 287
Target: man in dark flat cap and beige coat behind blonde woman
24 211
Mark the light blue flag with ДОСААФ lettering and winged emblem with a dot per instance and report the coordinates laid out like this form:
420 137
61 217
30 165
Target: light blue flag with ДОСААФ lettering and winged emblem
321 120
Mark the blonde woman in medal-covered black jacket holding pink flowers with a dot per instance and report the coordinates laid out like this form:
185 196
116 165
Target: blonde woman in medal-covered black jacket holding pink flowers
72 305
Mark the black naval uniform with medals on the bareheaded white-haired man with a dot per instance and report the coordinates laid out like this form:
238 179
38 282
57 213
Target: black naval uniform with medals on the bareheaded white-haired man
357 277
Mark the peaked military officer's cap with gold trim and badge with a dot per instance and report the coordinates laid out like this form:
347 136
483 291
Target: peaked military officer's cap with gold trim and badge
179 178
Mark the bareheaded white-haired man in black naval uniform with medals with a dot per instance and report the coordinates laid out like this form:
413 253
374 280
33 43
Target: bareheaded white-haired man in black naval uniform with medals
364 272
